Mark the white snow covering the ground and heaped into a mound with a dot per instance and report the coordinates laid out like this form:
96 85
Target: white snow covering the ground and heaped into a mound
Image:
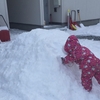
31 68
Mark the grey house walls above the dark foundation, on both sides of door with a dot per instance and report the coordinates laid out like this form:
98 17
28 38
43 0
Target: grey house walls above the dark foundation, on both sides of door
32 11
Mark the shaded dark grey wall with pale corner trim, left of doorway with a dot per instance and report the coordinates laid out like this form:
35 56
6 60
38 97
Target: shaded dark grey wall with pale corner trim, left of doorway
26 11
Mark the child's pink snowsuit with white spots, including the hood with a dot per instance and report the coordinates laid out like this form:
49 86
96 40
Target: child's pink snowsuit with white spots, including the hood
87 61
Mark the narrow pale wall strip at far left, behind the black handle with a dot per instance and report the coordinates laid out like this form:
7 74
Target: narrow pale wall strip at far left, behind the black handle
4 12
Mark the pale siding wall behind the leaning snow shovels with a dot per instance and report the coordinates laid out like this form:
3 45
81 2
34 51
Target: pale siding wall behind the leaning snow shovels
89 9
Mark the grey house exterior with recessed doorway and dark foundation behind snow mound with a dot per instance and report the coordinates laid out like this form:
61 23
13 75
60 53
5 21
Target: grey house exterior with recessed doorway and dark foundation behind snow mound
29 14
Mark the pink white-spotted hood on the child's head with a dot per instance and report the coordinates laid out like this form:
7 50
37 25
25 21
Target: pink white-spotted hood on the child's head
71 44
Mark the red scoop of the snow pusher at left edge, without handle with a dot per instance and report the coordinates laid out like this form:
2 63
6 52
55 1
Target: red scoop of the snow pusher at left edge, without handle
4 35
